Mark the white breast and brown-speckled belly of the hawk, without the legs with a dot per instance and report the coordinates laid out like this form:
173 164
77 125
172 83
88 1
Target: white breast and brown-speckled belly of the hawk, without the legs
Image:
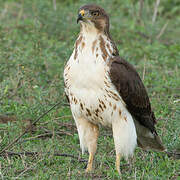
86 79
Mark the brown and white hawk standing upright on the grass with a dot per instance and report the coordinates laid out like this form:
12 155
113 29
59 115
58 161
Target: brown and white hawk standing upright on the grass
104 89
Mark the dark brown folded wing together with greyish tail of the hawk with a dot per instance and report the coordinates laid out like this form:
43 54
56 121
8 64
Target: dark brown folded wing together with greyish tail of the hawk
132 90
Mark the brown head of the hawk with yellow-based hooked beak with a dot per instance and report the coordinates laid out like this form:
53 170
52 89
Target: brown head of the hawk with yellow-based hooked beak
93 16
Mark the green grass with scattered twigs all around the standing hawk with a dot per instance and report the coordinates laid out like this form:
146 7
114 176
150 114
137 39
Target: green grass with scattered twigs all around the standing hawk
35 42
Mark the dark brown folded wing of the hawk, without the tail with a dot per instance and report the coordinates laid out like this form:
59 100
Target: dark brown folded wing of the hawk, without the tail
129 85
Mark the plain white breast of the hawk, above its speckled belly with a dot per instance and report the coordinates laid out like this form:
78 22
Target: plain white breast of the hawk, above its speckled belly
89 68
